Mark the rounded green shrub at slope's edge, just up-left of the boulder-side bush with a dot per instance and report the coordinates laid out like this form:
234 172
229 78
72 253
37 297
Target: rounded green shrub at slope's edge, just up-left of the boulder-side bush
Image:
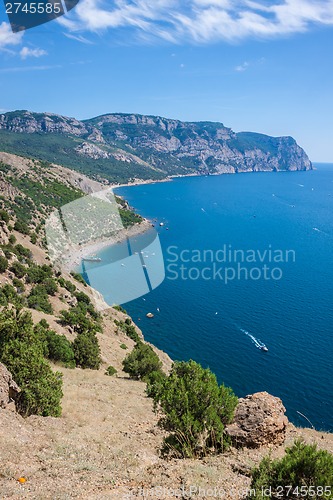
141 362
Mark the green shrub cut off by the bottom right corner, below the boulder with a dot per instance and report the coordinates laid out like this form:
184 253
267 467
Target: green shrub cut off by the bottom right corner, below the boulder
303 472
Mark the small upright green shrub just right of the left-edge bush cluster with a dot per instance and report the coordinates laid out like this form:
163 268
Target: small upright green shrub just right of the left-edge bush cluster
86 351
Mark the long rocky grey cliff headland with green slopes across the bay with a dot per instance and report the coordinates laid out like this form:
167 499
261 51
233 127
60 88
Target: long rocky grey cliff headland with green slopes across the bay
150 146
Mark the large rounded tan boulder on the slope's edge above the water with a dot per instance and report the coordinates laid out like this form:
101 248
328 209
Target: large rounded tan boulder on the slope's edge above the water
259 420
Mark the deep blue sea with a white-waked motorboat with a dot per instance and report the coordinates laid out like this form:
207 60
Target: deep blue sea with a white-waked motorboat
248 261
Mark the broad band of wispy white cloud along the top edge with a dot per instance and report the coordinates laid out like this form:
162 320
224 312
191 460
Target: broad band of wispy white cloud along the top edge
200 21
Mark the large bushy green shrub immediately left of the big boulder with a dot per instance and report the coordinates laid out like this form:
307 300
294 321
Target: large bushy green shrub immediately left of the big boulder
196 410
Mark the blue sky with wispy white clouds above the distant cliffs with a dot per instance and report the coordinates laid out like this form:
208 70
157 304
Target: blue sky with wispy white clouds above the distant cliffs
261 66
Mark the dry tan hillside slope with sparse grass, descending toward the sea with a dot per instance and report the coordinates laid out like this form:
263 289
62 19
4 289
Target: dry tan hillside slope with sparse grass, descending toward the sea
106 444
